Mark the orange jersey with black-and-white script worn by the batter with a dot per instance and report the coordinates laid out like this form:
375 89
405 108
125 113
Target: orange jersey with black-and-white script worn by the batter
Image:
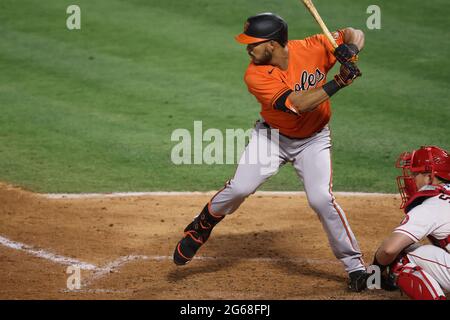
309 61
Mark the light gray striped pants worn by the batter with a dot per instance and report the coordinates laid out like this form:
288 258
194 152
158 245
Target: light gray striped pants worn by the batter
312 162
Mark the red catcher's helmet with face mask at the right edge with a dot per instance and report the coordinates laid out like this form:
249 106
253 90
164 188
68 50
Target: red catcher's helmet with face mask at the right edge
427 159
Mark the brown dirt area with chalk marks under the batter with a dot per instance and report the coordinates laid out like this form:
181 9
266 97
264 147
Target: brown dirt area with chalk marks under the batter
273 247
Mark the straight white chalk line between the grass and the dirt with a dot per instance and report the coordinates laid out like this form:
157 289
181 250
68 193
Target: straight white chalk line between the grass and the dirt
207 193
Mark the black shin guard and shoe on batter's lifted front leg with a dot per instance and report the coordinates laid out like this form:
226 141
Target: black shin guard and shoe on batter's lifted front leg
195 235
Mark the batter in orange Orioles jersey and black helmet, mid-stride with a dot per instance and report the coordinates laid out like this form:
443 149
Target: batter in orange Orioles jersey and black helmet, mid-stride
289 80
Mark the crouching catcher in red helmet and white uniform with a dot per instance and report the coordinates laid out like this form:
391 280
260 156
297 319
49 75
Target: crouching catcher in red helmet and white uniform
421 271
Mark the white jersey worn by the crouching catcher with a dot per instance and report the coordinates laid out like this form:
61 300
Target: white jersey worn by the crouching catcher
431 218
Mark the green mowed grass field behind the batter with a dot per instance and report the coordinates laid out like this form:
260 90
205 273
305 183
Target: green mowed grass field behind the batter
92 110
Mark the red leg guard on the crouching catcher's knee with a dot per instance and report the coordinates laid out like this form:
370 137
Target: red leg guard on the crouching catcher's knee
417 284
